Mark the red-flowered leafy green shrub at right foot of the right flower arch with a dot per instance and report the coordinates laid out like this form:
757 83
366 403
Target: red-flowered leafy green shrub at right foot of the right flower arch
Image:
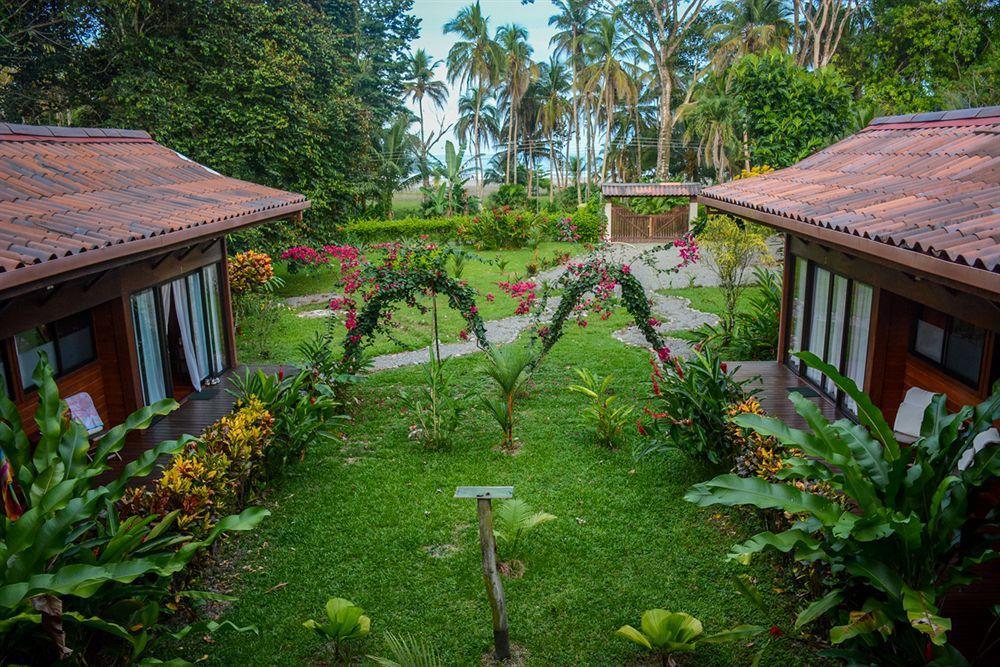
688 410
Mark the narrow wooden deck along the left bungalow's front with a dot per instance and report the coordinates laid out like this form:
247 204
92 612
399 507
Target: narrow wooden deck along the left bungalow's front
197 411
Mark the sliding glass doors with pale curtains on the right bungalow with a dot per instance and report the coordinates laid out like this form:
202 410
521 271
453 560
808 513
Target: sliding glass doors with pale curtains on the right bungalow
831 316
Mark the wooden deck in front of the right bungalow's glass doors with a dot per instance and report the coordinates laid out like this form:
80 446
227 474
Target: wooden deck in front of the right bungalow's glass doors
773 382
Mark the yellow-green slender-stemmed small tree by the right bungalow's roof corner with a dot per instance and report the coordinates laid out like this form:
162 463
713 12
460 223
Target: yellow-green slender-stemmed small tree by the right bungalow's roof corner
734 248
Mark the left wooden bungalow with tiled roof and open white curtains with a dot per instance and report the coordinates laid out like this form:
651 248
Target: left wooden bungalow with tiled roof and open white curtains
113 263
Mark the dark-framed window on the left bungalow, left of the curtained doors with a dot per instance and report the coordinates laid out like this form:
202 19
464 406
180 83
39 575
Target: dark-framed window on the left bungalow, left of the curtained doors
67 343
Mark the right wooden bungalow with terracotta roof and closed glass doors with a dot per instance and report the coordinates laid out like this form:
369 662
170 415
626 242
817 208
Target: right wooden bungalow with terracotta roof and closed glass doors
892 262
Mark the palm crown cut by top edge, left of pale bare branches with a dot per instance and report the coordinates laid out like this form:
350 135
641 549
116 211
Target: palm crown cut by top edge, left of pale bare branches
751 26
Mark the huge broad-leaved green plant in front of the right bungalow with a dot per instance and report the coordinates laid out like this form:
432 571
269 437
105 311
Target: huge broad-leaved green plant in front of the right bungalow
897 526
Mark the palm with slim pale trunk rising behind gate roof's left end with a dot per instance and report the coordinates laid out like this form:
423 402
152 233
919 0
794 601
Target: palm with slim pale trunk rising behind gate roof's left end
607 51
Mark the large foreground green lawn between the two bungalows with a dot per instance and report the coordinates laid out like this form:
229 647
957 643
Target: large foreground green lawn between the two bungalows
360 518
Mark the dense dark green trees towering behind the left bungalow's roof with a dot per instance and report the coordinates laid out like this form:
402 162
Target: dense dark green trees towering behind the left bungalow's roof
288 93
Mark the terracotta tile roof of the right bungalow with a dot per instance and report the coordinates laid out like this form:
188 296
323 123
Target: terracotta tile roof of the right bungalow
928 183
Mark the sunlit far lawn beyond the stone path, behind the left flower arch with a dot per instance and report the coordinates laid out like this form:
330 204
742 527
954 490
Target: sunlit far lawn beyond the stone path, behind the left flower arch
415 327
